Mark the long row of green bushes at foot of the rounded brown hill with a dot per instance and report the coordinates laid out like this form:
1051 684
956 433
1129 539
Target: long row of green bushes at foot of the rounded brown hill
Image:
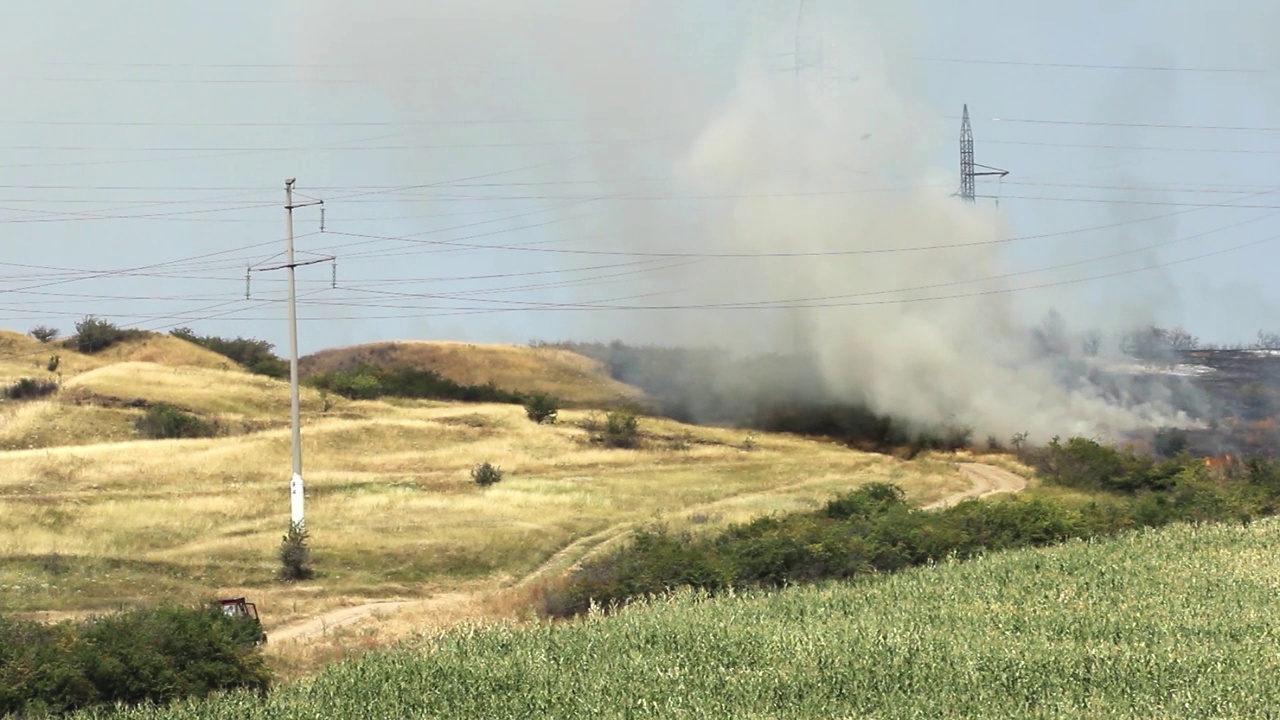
371 382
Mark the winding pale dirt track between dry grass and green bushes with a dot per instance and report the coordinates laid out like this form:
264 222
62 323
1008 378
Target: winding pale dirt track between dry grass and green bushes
988 480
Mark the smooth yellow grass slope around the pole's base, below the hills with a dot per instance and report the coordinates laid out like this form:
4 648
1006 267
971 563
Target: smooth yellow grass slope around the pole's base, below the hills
391 505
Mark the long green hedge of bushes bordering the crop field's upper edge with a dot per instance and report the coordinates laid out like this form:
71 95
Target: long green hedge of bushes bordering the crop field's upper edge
872 530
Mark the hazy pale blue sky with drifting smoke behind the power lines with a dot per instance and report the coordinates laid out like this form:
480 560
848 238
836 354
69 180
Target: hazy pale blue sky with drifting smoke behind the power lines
502 171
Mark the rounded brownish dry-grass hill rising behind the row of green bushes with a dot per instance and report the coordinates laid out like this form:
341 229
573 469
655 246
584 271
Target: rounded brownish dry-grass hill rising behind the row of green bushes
574 379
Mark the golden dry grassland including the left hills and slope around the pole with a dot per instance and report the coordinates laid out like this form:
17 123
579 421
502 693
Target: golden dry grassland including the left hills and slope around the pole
93 518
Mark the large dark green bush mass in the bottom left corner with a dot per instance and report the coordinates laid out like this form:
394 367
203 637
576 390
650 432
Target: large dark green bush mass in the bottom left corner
130 658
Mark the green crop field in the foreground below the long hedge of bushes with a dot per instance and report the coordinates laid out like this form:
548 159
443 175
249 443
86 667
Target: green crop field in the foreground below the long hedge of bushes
1174 623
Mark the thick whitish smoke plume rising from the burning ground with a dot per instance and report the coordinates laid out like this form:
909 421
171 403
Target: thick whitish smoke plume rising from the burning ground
801 171
